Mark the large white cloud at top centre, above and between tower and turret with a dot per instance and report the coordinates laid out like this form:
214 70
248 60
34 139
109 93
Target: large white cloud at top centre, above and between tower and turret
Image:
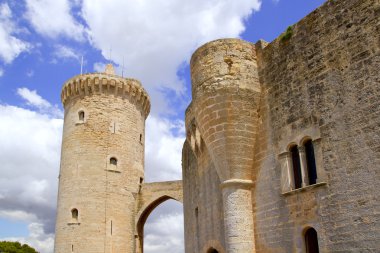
157 37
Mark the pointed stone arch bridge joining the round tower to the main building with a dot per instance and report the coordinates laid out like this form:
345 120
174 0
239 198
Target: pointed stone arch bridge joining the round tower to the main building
152 195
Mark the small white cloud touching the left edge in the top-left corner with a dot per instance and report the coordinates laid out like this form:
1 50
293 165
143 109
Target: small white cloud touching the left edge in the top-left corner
10 45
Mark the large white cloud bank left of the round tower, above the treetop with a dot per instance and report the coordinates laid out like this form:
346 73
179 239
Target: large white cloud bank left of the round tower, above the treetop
29 158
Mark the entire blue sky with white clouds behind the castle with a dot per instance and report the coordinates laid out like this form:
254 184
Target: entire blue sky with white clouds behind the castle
41 44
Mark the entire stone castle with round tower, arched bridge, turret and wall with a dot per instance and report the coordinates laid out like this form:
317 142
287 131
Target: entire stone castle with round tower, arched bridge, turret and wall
282 152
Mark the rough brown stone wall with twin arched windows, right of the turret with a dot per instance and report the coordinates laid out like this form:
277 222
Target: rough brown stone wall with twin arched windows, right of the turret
323 83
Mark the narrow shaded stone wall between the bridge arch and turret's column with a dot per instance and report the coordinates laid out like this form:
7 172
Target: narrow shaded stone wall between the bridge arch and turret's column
203 203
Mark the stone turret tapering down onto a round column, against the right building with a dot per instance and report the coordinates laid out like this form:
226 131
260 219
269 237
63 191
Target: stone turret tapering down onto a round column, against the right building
226 93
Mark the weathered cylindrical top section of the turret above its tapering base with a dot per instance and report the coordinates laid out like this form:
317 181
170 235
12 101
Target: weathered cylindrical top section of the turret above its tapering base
224 63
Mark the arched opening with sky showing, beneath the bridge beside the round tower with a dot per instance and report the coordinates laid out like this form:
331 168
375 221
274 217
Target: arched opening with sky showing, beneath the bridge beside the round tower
160 227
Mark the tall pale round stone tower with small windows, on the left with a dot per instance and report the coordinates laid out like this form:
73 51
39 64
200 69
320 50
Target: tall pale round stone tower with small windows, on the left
102 163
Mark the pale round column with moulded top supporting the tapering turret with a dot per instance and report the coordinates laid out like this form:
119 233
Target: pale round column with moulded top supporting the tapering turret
238 216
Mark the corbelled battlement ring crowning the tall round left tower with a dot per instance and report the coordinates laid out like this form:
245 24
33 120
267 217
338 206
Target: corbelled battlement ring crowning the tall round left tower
97 83
